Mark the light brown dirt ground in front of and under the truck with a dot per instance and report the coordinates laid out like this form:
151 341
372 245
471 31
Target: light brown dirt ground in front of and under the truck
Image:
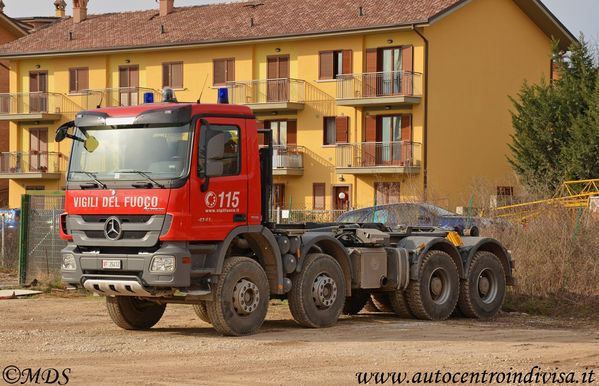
52 331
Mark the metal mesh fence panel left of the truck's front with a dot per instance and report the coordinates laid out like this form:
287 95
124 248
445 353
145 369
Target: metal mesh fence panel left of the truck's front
39 254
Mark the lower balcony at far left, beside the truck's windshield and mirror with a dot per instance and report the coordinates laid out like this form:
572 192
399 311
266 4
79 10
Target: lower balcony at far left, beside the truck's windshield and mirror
32 165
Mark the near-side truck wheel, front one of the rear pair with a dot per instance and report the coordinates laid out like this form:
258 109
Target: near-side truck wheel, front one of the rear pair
435 295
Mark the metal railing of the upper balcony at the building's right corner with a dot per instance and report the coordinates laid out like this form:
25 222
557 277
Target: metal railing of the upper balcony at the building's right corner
379 85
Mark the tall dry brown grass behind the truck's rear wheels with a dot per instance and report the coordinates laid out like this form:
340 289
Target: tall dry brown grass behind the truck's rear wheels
556 273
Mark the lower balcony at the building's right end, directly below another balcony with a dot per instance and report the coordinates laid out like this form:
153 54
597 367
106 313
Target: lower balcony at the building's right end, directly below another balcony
400 157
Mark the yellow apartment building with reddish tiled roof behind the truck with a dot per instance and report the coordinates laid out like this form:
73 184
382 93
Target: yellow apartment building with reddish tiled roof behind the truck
383 101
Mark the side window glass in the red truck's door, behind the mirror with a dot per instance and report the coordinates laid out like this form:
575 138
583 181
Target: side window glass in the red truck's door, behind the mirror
232 157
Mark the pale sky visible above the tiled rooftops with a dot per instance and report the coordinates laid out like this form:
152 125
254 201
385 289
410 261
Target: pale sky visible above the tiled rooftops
577 15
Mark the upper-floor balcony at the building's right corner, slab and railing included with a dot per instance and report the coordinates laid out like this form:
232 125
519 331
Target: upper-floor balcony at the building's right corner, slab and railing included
376 89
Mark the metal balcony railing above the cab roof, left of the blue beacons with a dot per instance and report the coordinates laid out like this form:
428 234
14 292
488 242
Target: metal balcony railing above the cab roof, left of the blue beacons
115 97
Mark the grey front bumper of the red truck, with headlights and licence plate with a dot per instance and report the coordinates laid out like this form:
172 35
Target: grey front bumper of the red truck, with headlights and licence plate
133 277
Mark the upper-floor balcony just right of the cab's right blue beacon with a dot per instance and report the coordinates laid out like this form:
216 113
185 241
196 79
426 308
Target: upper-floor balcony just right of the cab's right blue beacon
269 94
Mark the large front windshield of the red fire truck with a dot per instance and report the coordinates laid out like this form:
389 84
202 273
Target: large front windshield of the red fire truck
159 152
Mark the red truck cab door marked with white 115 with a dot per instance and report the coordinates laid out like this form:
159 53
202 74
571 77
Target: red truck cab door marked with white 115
223 206
